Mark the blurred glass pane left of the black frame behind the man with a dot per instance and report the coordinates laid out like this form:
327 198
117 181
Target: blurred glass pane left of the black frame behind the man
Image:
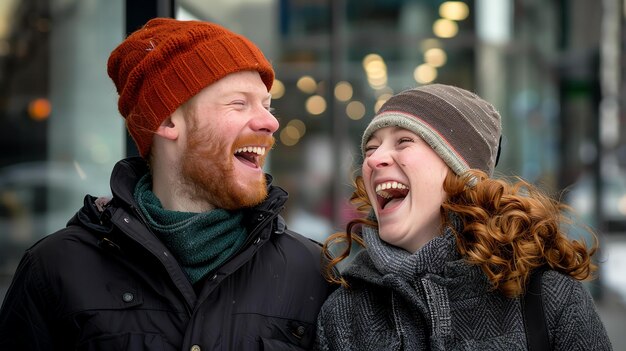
61 131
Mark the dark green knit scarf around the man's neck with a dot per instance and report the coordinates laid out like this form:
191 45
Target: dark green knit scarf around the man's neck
200 241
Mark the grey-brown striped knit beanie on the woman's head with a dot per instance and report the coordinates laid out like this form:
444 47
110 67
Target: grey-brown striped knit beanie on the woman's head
463 129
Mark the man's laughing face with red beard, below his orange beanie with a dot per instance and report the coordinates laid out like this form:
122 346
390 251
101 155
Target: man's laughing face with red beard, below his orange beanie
228 137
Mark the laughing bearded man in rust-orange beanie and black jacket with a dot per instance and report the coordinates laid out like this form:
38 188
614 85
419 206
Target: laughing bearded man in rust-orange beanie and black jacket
190 253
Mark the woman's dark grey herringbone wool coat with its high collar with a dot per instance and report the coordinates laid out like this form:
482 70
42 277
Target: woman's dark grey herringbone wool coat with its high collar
434 300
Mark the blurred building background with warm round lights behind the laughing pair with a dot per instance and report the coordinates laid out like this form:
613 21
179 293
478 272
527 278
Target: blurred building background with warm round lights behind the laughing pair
552 68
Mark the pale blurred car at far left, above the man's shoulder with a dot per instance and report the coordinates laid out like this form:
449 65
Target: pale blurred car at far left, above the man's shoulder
38 198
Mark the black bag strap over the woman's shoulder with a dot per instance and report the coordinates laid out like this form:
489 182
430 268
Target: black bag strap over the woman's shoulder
534 317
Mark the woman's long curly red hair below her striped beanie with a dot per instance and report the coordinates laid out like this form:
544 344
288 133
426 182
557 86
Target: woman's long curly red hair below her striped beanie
509 228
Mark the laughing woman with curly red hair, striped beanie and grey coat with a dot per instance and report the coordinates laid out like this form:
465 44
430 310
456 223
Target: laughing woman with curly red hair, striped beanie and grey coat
449 249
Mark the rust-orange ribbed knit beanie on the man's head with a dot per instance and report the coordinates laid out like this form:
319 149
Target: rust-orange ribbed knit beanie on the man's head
162 65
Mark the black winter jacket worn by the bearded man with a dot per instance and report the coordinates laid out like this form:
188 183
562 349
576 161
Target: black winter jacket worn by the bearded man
107 283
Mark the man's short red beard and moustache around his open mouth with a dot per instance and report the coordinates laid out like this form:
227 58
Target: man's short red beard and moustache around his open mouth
207 167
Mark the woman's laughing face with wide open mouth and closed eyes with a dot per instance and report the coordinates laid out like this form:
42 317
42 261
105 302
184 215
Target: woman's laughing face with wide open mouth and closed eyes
404 182
